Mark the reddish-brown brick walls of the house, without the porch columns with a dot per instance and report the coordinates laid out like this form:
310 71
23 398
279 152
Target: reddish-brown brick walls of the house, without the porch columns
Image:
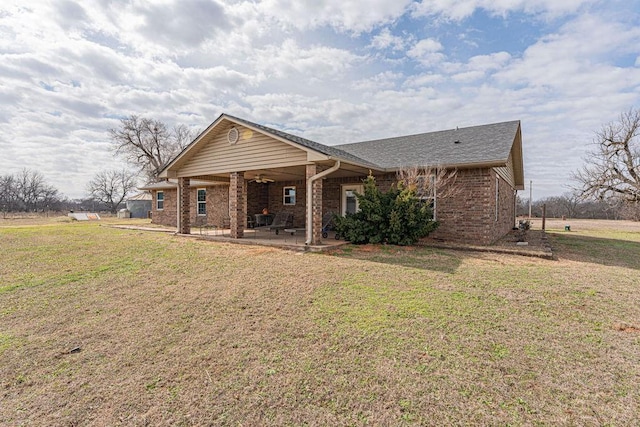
468 217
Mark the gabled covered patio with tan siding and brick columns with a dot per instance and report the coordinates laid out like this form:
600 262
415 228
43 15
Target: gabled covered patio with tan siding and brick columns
236 171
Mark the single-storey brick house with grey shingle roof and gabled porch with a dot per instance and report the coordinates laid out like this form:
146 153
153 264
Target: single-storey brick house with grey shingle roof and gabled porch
235 168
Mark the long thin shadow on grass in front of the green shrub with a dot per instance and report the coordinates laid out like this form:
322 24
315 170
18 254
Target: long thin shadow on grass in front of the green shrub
407 256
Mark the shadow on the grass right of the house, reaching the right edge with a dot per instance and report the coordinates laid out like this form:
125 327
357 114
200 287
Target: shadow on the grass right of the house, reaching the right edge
598 250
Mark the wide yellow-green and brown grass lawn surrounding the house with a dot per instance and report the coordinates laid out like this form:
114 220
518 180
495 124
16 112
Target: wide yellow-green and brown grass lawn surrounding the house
103 326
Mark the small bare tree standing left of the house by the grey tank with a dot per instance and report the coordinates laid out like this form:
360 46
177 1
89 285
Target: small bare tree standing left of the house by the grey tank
112 187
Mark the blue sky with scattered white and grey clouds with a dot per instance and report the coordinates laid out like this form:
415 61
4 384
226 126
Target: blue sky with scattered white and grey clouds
333 71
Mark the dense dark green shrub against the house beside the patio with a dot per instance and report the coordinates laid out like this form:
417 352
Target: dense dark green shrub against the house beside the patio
396 217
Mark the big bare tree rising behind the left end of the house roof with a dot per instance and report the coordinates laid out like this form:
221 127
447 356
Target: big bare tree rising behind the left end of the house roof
148 145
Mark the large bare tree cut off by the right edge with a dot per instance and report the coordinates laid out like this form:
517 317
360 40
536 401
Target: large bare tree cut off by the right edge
613 167
